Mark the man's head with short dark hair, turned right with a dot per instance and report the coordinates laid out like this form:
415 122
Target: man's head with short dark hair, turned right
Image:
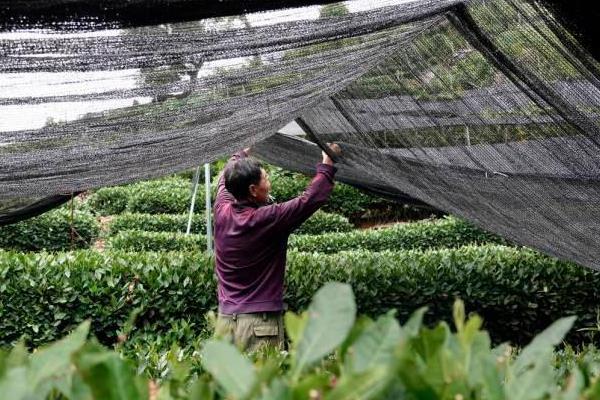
246 179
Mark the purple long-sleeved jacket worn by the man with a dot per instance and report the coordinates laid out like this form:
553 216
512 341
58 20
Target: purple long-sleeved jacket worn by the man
251 244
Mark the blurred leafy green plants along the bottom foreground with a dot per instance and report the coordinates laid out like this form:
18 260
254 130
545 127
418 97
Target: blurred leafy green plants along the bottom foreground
332 356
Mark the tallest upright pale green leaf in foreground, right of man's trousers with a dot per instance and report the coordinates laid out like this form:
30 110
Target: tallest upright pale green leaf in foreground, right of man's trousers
330 318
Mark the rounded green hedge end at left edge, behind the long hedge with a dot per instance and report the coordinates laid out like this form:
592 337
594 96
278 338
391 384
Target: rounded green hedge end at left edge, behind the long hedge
51 231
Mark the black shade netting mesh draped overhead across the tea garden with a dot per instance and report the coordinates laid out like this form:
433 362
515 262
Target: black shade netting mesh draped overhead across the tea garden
487 109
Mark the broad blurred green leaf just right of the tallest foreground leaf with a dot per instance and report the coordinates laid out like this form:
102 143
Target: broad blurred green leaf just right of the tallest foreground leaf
375 347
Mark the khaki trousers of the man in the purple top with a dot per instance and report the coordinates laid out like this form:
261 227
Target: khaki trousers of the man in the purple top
252 331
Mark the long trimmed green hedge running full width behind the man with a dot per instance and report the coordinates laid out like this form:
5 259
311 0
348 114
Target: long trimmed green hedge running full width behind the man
518 292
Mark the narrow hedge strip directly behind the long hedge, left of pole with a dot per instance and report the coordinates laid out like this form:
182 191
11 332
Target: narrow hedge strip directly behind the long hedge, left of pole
156 241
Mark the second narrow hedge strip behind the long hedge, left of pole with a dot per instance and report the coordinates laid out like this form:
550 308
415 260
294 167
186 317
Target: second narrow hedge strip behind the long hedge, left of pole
156 223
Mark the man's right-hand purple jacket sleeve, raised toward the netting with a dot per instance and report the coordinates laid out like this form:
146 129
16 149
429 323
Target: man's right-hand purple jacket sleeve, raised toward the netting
291 214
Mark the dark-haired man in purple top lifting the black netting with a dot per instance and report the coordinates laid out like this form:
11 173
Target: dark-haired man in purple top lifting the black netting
251 238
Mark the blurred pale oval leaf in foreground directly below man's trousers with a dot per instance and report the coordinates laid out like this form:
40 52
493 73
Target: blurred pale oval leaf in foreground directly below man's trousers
229 368
